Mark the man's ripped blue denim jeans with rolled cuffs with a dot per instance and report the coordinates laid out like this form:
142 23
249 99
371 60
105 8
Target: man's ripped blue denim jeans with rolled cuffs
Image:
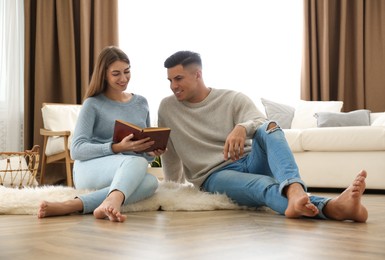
258 179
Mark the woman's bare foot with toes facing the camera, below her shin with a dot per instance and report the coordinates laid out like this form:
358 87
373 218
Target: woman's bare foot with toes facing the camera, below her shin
110 208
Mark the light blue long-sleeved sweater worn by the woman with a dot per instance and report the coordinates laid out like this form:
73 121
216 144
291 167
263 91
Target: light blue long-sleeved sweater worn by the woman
92 137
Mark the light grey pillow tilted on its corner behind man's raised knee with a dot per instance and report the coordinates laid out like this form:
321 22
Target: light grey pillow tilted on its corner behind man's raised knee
282 114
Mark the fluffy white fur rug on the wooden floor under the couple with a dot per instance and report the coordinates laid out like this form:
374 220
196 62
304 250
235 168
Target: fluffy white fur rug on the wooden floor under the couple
169 197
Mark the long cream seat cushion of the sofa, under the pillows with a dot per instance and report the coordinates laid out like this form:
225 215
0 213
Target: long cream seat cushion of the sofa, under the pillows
354 138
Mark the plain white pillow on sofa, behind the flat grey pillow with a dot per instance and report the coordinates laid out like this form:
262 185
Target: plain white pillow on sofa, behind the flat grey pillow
304 112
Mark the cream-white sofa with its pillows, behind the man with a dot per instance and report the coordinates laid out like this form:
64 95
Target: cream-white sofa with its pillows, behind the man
330 157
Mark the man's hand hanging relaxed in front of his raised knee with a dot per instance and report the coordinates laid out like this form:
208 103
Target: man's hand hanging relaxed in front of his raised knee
235 143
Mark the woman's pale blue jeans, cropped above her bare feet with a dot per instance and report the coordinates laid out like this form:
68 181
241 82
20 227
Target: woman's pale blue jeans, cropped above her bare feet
125 173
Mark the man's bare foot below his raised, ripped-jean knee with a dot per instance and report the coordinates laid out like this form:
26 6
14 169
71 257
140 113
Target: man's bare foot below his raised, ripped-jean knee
299 204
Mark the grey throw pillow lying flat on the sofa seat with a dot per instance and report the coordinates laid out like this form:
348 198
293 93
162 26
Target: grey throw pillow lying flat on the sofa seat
353 118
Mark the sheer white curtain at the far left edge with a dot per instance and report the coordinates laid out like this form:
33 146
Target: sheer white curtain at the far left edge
11 74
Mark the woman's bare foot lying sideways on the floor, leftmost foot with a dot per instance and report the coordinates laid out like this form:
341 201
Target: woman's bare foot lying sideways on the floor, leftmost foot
47 209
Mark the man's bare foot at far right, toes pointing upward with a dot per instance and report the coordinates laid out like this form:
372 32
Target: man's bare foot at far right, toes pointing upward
347 206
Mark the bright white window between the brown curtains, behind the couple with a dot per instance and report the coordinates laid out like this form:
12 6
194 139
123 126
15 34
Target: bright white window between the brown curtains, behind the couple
253 46
